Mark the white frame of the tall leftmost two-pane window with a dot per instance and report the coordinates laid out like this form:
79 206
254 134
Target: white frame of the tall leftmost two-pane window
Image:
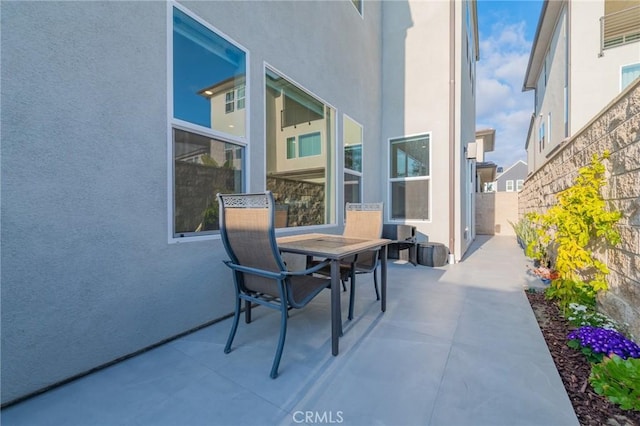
175 123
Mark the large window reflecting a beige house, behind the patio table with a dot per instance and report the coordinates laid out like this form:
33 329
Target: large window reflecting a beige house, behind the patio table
300 132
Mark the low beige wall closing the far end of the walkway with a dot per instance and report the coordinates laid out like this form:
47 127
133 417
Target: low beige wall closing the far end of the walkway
495 211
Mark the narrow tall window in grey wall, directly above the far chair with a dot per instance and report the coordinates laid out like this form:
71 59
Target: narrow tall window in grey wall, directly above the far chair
352 141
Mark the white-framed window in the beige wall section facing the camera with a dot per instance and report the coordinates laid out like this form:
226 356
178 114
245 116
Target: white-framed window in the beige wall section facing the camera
410 177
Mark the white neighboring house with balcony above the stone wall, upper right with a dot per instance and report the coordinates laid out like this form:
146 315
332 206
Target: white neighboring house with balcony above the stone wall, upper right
584 54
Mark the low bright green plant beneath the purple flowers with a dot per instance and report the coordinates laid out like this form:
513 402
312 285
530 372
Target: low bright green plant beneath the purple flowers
619 380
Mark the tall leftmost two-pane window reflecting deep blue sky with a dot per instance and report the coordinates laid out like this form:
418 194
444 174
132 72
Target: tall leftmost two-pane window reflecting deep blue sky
208 132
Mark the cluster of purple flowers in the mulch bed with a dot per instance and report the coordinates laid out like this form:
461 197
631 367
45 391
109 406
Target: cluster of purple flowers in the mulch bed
597 342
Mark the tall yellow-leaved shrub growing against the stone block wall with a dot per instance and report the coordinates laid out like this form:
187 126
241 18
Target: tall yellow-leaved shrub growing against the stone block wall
575 229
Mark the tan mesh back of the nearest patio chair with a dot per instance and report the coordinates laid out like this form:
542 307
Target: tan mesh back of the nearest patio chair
247 230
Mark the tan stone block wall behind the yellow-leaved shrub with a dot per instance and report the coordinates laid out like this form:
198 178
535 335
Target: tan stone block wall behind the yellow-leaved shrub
617 129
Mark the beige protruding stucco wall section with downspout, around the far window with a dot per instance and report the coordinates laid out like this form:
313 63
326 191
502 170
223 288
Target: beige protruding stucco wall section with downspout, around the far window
416 100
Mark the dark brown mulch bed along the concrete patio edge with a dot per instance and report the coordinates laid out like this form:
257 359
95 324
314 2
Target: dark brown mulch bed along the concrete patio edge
591 408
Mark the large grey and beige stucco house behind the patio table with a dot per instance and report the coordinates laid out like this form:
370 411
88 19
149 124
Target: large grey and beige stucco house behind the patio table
109 174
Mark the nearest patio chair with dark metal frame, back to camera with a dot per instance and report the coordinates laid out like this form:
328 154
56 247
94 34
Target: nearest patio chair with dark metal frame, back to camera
259 274
